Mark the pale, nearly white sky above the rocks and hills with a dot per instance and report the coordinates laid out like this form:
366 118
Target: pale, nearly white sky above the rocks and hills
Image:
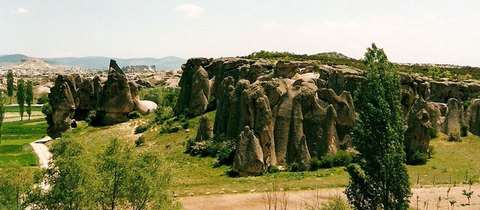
410 31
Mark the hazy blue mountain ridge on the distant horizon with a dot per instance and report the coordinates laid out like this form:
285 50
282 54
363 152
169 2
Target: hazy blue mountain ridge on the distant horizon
101 62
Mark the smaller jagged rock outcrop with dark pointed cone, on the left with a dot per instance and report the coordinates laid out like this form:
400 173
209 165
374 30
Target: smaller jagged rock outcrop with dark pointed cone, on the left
74 97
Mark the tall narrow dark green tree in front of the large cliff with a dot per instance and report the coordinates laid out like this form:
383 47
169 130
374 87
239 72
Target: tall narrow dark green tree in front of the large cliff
380 180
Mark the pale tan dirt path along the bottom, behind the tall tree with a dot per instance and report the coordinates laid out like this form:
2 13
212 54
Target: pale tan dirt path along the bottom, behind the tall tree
428 198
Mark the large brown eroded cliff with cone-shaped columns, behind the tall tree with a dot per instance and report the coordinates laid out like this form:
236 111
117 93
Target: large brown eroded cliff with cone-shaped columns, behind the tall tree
290 112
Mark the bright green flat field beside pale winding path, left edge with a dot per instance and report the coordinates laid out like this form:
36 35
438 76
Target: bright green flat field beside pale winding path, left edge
16 136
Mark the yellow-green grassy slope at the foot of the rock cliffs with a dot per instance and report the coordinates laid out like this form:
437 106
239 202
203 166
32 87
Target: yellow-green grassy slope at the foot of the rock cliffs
198 176
